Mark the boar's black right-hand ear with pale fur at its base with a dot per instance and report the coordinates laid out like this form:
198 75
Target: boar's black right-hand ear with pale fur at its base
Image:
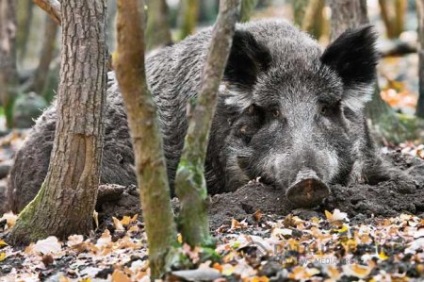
353 56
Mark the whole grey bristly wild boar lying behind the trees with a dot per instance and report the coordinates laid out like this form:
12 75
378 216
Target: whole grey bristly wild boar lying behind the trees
287 112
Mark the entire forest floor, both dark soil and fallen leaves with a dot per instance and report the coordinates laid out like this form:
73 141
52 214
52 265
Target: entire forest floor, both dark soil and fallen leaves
373 233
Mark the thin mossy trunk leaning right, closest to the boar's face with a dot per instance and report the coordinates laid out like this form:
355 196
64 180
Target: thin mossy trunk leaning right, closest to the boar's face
190 181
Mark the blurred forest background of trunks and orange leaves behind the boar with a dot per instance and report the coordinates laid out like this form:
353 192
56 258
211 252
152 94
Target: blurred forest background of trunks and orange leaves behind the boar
32 76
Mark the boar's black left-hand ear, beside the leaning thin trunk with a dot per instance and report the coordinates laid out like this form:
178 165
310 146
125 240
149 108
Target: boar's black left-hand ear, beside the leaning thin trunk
246 60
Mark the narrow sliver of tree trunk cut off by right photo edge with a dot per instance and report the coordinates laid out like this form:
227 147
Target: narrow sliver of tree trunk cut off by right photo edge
420 104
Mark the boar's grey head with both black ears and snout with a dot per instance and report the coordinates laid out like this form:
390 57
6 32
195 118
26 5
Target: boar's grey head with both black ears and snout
291 114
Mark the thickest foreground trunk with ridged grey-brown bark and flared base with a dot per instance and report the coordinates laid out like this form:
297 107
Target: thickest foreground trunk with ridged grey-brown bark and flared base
66 200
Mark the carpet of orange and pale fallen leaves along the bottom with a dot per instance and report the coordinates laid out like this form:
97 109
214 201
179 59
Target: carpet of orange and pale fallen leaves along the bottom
267 248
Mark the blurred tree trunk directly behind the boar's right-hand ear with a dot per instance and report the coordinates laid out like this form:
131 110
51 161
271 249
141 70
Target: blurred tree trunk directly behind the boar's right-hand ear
385 124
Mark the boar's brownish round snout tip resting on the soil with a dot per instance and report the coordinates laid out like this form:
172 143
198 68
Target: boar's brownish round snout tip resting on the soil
307 190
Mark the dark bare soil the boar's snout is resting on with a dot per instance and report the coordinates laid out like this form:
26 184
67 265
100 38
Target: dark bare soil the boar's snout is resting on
361 202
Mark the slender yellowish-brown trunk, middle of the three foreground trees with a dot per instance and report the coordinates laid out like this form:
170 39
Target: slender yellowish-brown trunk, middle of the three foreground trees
147 140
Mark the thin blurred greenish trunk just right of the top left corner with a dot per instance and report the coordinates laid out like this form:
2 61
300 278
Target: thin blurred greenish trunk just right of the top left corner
25 13
